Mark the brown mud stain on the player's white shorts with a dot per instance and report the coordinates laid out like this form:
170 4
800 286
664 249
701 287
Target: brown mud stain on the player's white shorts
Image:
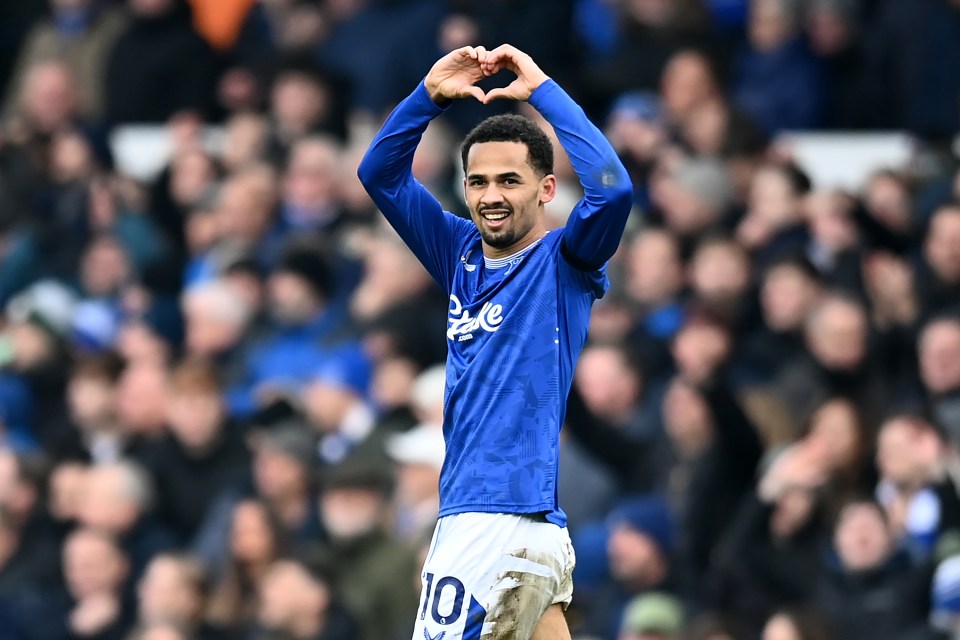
523 598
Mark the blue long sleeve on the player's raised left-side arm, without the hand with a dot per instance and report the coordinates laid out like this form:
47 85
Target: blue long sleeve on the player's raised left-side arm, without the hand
386 173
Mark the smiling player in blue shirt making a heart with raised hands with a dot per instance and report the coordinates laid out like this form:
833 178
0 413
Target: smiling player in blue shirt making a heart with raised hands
500 563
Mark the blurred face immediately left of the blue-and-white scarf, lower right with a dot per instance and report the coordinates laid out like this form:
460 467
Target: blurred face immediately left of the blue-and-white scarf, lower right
862 538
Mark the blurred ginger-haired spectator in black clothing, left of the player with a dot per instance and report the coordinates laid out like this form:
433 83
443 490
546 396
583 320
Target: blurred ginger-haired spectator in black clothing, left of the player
202 455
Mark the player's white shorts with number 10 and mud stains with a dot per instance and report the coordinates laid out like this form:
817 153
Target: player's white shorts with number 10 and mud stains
492 576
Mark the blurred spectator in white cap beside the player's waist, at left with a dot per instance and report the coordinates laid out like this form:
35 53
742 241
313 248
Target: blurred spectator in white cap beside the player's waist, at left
418 455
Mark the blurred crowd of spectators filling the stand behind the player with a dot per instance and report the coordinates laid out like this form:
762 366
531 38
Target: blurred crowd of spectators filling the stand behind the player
221 385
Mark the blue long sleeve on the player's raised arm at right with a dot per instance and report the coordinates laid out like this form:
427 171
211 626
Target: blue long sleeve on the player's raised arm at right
596 224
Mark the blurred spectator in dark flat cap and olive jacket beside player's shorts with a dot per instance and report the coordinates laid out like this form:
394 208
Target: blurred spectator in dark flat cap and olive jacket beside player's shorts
373 566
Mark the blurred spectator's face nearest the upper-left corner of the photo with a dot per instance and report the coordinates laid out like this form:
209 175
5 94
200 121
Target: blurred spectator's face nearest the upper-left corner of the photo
49 97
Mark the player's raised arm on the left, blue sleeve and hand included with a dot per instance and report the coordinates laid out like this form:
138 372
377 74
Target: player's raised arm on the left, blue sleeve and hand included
386 169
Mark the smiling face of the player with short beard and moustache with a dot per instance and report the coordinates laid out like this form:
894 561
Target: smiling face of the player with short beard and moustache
506 195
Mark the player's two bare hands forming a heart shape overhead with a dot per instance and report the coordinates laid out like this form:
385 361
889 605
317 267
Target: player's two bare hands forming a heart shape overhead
457 74
